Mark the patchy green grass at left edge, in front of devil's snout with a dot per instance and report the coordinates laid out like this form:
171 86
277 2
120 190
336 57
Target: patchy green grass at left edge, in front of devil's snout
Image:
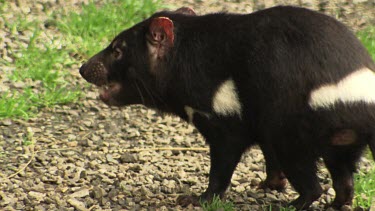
40 63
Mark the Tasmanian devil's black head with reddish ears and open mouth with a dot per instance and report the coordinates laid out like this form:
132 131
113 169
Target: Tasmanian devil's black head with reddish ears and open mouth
130 69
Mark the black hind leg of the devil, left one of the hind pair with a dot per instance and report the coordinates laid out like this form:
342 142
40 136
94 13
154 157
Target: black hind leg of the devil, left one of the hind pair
296 150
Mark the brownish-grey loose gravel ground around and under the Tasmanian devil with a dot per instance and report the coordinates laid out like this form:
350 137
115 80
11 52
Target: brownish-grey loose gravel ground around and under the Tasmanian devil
87 156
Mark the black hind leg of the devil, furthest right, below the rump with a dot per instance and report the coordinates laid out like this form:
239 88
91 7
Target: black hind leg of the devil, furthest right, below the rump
341 163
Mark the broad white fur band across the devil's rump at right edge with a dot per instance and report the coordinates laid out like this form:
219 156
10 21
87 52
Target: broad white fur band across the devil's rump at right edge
357 86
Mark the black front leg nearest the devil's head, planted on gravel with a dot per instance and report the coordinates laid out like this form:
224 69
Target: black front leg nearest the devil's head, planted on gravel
227 141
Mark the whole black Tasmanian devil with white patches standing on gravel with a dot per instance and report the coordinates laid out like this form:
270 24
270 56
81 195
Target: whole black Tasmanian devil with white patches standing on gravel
294 81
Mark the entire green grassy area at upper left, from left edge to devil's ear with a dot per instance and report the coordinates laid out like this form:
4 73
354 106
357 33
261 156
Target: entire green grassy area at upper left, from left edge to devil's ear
46 62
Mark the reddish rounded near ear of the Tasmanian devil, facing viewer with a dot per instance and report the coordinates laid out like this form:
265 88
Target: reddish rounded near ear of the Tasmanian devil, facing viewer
161 31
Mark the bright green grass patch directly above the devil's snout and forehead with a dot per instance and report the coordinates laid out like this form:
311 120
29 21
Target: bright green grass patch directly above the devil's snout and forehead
95 27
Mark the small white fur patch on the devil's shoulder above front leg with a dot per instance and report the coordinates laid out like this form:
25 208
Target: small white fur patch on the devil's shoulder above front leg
225 101
